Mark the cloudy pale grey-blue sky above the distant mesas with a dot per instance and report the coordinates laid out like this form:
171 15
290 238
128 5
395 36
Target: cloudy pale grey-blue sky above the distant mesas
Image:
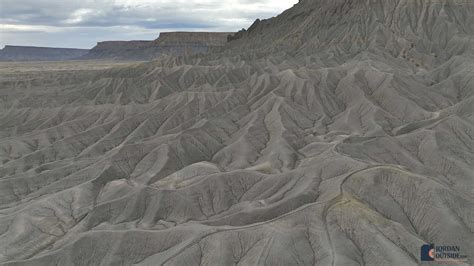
83 23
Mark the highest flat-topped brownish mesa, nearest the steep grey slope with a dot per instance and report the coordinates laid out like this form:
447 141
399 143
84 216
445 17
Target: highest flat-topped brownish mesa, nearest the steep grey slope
193 38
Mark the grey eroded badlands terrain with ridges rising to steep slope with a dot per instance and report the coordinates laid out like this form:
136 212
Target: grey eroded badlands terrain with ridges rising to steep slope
338 133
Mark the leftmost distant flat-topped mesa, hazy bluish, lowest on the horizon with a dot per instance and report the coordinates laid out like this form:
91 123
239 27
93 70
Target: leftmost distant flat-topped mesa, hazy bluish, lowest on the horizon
31 53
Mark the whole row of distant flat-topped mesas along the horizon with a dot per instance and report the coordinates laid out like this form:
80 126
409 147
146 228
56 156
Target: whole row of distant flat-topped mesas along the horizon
175 43
